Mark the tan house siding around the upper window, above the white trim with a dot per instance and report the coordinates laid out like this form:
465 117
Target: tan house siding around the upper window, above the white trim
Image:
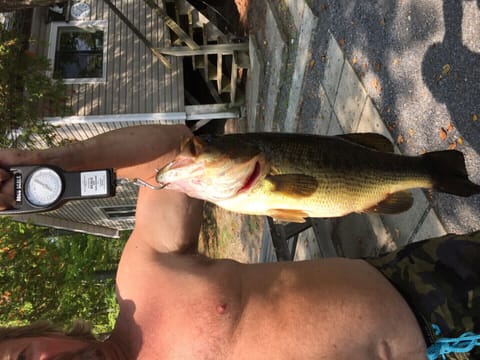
136 81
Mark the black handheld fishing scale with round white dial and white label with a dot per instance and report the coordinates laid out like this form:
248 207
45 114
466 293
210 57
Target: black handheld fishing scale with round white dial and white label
41 188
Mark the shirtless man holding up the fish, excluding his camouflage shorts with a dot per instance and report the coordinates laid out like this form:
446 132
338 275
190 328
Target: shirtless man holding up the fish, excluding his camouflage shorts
177 304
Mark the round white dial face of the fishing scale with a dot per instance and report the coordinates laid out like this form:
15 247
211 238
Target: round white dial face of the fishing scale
43 187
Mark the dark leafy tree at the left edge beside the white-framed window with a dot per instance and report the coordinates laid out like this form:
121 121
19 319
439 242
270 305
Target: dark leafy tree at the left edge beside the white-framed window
27 93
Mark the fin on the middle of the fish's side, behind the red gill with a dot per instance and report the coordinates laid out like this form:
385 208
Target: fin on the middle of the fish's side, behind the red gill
296 185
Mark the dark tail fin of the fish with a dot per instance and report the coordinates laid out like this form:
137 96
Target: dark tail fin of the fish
449 173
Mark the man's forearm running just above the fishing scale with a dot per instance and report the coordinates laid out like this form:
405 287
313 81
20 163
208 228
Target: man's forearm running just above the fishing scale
124 149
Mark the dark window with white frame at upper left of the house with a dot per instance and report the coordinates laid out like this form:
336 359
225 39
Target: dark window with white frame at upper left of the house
78 52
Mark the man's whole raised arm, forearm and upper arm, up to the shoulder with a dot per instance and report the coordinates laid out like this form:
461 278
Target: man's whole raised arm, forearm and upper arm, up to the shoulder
165 220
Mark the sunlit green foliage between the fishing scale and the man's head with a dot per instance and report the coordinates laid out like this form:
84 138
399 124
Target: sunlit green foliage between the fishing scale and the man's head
60 278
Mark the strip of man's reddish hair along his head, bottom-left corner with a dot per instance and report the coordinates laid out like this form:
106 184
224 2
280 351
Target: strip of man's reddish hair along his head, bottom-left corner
79 329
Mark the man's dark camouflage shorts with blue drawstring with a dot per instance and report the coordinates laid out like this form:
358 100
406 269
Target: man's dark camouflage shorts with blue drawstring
440 280
